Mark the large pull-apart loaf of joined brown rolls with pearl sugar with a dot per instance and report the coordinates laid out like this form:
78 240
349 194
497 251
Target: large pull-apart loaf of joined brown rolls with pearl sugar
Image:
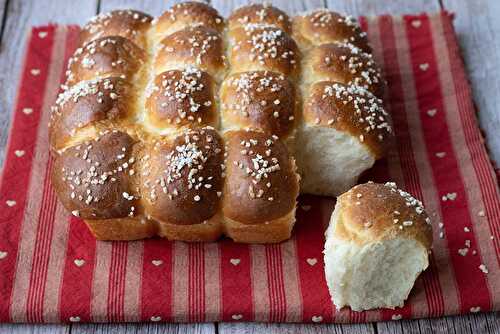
191 126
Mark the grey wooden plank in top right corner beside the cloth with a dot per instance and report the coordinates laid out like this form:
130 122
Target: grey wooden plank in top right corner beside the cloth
477 26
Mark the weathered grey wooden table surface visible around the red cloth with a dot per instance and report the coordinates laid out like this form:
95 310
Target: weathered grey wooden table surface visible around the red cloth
478 30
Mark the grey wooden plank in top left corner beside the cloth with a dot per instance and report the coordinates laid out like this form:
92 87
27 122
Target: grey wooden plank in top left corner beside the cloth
20 16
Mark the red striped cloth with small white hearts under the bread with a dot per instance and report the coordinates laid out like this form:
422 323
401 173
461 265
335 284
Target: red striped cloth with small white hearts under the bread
52 269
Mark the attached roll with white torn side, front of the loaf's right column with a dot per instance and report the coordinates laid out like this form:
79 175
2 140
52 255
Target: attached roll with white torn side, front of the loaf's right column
344 130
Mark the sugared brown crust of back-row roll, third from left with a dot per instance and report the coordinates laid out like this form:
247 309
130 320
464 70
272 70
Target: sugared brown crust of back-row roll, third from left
259 14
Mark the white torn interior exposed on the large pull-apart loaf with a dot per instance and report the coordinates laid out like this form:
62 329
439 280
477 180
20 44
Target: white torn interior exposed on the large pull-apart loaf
329 161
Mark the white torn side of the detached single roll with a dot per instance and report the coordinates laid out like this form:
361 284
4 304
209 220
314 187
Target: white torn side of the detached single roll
372 275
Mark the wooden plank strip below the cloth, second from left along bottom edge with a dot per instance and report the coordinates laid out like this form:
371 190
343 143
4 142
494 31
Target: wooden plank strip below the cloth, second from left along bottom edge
131 328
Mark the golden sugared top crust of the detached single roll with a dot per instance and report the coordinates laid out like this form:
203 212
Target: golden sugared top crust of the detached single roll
371 212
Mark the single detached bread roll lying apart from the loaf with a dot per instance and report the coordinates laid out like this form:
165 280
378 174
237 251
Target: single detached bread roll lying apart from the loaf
376 245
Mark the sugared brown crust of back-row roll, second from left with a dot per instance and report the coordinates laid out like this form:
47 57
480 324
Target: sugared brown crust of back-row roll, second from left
186 14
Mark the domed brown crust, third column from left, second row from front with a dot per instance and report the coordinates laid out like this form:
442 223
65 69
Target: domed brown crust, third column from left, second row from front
260 100
